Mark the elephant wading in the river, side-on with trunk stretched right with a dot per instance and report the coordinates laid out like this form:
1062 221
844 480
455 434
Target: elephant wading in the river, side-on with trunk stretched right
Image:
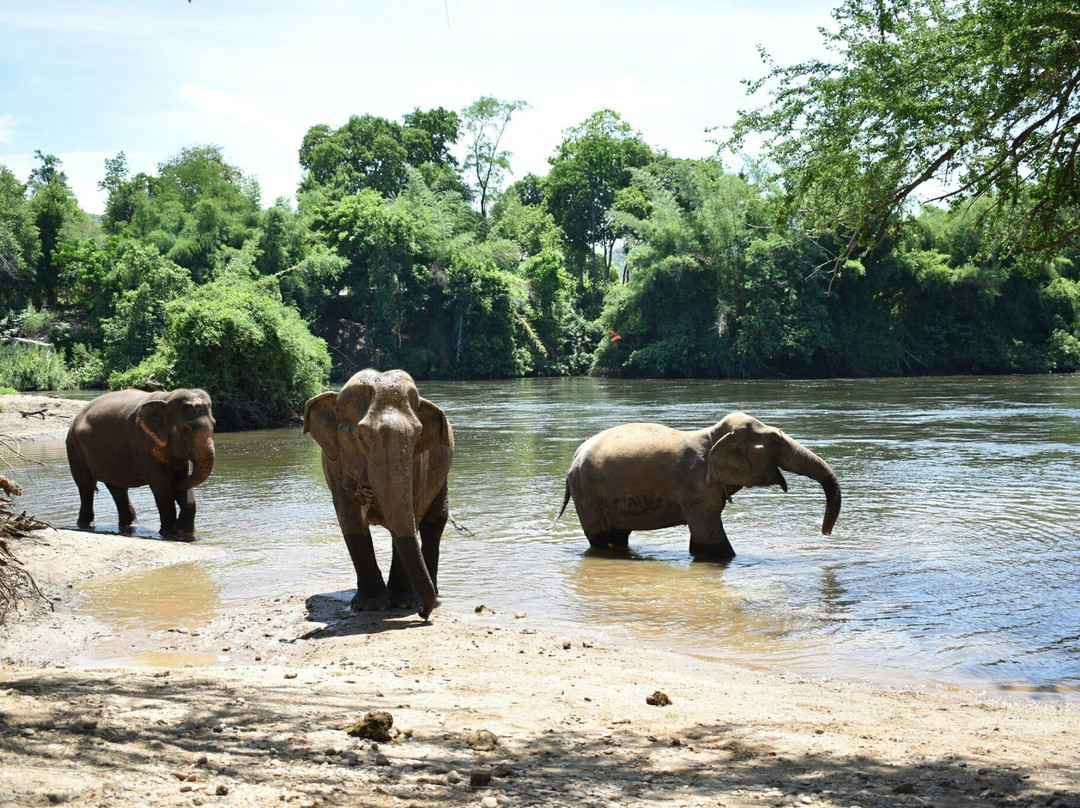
644 477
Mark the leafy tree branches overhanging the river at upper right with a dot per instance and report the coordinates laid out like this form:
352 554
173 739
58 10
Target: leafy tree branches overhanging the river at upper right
973 99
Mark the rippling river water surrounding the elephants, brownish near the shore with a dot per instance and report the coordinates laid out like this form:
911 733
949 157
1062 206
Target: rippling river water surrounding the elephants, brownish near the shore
956 558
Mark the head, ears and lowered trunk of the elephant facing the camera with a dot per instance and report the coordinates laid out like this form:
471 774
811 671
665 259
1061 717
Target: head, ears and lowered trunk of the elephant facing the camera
393 451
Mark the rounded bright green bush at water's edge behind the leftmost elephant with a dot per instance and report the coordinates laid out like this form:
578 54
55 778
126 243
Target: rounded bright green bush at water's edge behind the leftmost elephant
251 353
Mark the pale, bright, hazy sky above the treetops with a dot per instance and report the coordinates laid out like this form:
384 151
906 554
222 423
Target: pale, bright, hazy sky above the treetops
85 80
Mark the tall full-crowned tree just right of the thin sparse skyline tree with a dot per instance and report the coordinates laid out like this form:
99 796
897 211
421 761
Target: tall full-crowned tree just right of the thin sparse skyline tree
592 164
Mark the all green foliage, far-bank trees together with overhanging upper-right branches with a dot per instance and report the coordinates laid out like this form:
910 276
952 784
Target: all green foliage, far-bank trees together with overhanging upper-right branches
620 261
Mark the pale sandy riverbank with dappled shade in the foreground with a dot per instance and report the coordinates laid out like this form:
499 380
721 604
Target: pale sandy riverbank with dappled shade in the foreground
488 710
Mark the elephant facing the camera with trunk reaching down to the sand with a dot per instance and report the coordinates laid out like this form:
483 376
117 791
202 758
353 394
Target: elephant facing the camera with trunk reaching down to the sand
387 454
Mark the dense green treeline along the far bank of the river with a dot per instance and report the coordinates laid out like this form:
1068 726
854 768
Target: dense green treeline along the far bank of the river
620 261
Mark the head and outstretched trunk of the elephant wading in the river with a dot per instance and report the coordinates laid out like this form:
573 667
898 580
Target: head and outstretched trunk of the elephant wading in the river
749 453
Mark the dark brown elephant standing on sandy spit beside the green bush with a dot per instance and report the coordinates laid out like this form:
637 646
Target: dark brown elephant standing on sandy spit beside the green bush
132 438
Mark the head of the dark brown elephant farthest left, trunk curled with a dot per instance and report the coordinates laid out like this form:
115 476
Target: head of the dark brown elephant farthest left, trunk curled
180 428
